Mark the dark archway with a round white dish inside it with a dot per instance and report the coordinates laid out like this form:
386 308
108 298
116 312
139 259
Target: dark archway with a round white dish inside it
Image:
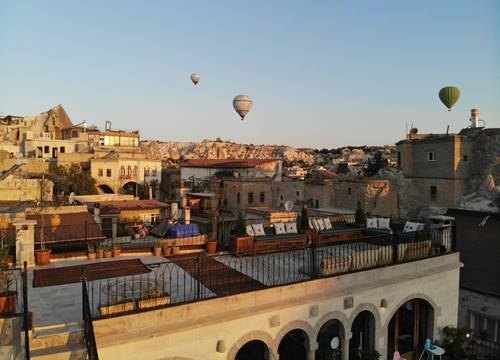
328 348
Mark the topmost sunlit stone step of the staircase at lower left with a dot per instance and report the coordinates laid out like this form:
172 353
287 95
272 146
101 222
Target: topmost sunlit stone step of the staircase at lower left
53 337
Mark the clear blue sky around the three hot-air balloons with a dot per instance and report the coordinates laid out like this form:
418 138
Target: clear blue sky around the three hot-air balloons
321 73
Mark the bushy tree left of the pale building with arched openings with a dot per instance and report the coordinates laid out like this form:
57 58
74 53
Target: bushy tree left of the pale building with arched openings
72 179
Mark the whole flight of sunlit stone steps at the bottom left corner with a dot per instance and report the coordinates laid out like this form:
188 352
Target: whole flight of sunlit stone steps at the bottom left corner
60 342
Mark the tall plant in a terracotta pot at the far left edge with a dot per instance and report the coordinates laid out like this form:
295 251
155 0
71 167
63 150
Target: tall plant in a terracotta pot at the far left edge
8 298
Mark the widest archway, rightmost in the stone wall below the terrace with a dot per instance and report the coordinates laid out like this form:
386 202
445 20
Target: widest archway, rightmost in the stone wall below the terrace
410 325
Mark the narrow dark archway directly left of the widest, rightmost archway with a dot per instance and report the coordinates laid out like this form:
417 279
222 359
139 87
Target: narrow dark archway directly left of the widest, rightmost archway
363 335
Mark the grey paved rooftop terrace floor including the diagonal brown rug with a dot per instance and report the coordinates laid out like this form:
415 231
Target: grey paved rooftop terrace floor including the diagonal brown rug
221 275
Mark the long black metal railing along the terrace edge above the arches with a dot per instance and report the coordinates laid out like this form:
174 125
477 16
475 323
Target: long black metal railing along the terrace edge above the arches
179 280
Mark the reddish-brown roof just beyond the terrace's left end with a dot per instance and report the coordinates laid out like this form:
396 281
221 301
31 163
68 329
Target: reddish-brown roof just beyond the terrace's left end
74 227
